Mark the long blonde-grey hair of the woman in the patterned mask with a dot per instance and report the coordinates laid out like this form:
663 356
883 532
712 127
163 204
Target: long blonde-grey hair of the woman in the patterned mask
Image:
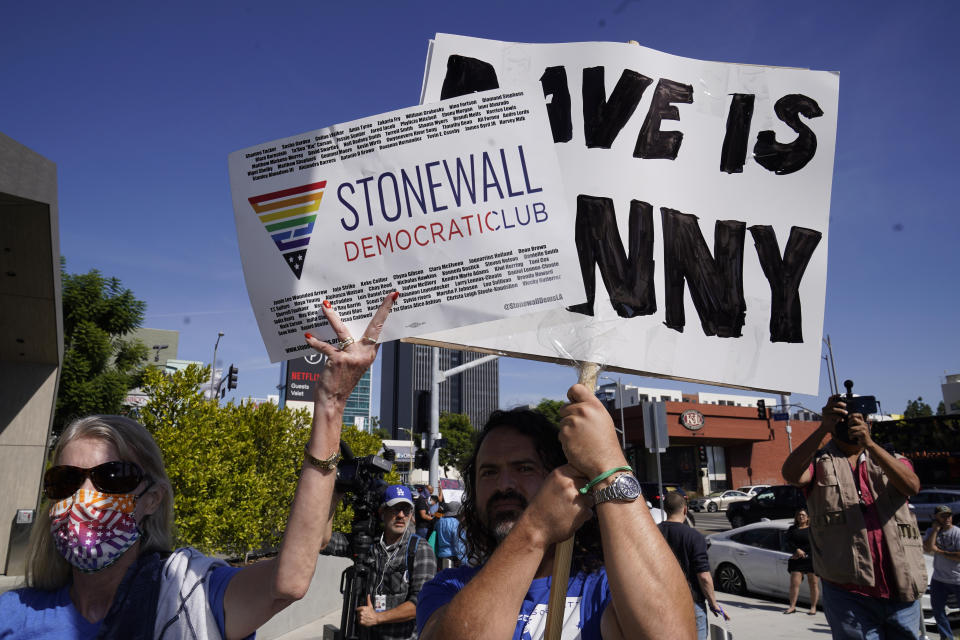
46 568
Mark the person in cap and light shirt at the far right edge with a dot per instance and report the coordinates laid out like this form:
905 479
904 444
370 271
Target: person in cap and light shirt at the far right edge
943 541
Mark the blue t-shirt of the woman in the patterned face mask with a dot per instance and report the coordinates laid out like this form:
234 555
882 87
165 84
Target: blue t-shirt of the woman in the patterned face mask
36 614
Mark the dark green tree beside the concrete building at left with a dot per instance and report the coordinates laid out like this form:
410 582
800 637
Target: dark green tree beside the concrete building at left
99 365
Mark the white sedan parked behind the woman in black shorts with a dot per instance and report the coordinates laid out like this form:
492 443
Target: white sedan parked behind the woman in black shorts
753 558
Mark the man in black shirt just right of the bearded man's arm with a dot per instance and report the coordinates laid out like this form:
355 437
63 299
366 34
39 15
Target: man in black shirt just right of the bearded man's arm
690 548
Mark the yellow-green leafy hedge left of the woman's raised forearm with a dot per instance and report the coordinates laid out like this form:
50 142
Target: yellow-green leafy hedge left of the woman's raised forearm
234 468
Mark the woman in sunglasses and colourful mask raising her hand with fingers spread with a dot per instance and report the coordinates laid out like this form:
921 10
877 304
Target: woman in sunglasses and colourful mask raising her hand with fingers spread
100 565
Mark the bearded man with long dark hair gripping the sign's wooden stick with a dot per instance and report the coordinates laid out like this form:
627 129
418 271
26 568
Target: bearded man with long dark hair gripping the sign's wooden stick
529 487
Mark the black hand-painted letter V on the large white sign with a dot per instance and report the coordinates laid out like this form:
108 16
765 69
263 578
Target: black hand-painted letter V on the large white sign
603 119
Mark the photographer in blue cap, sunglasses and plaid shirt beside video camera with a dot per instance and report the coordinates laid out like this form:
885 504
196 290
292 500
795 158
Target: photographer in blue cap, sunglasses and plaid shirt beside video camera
402 563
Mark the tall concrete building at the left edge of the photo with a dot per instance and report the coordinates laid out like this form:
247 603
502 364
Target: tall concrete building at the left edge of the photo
31 328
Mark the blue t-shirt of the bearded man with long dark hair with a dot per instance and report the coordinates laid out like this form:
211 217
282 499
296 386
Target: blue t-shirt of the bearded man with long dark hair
588 595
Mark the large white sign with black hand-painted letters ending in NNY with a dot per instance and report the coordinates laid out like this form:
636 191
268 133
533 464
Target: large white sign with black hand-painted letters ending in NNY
702 198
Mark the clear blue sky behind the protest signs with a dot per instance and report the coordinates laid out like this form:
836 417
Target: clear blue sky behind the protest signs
139 105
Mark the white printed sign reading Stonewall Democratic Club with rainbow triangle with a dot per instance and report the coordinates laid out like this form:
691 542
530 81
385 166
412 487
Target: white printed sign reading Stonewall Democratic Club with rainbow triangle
459 206
